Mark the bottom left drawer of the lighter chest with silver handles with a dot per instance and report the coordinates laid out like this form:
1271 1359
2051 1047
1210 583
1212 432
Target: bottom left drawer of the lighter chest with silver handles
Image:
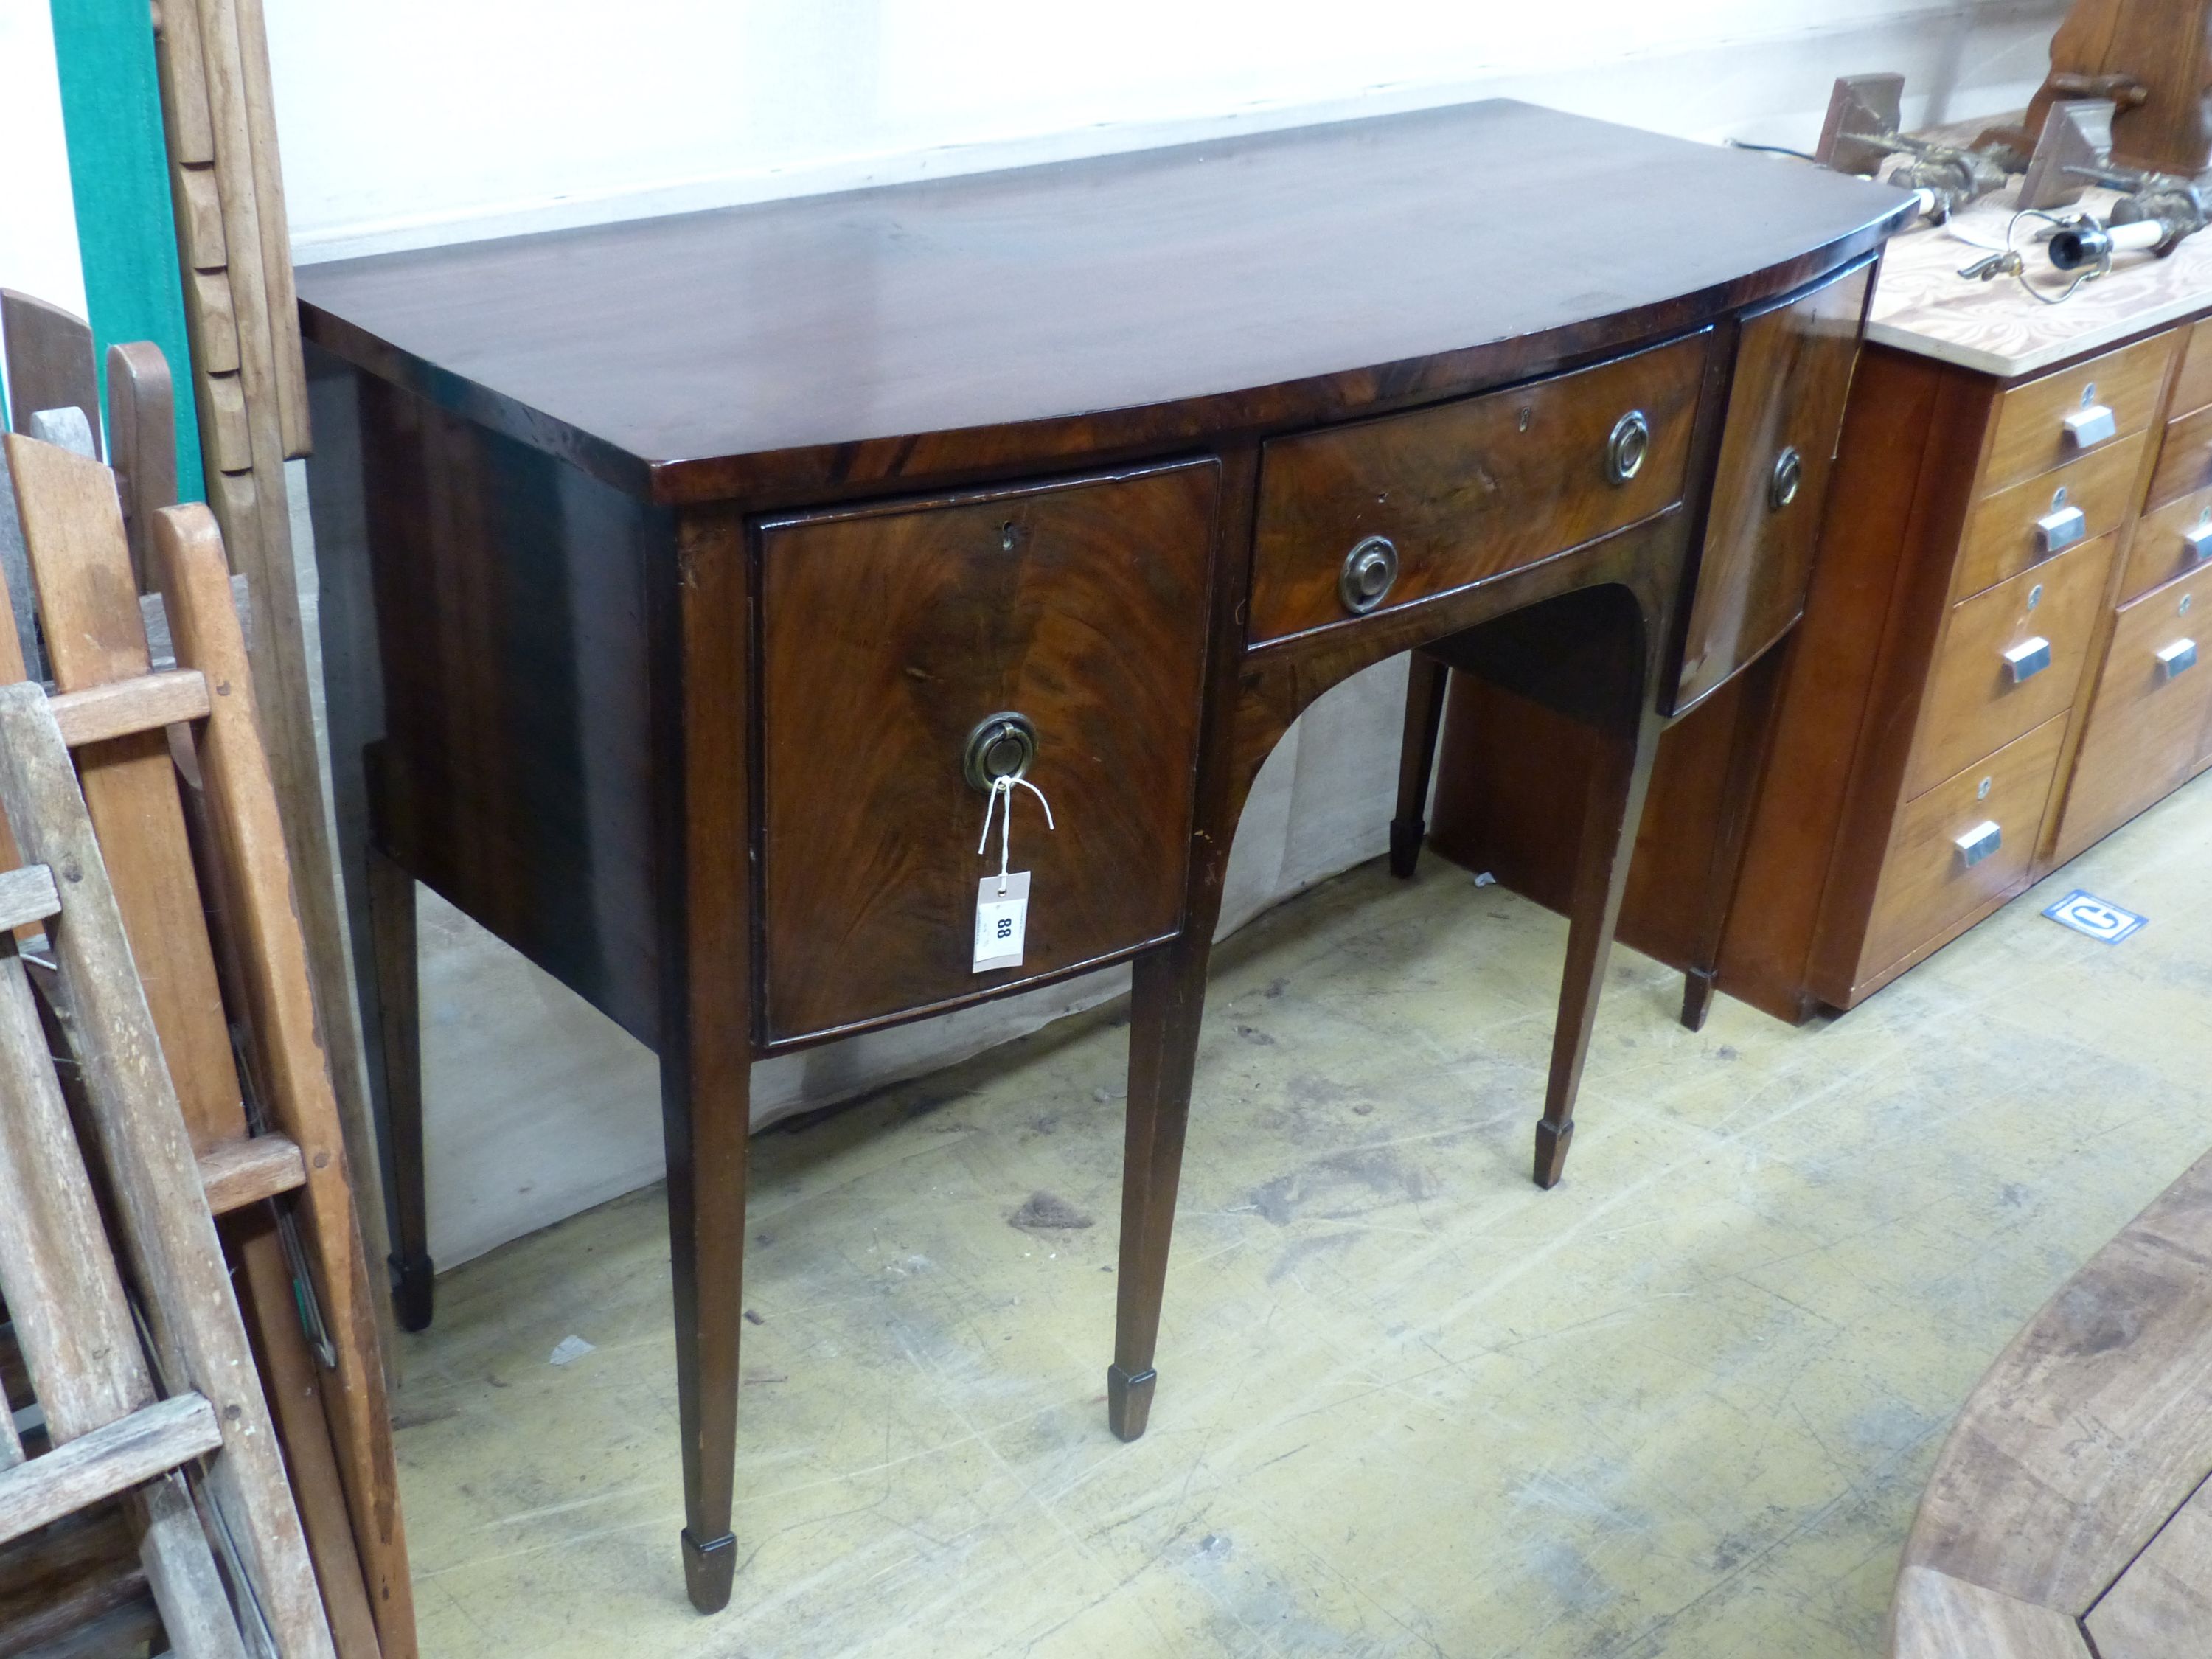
1945 862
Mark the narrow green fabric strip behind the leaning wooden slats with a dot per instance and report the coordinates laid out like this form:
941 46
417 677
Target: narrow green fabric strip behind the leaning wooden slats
118 174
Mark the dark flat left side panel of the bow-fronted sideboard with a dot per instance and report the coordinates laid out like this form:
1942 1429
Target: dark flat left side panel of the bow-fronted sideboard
512 623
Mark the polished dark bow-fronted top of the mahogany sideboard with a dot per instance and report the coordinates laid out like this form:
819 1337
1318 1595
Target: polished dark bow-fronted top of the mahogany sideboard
1012 320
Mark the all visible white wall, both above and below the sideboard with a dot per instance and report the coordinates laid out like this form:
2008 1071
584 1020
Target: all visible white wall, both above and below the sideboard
432 121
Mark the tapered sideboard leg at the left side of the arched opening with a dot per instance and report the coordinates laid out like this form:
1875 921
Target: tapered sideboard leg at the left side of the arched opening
1167 1003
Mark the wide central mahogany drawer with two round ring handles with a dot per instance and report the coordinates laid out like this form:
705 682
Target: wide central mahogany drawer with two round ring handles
1463 492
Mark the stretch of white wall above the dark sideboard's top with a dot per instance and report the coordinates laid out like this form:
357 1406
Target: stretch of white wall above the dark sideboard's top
426 121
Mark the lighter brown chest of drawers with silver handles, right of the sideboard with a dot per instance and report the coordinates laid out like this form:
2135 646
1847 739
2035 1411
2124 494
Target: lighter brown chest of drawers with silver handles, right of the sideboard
1996 667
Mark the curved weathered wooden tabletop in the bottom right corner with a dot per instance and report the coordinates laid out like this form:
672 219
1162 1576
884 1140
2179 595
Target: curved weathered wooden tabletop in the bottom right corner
2074 1477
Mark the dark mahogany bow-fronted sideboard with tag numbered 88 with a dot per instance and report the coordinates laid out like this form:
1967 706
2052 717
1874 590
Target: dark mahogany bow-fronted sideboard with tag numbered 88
724 561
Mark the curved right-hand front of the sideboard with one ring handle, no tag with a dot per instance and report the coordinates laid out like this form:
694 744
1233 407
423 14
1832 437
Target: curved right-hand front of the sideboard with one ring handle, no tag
1784 415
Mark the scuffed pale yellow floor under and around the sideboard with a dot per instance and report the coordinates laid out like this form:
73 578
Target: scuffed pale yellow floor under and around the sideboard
1410 1406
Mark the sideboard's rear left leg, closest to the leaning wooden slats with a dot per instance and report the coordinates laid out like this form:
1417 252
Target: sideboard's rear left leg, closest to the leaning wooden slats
399 1030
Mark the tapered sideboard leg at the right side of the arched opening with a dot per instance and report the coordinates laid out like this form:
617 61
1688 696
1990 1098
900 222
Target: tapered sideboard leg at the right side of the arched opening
1609 835
